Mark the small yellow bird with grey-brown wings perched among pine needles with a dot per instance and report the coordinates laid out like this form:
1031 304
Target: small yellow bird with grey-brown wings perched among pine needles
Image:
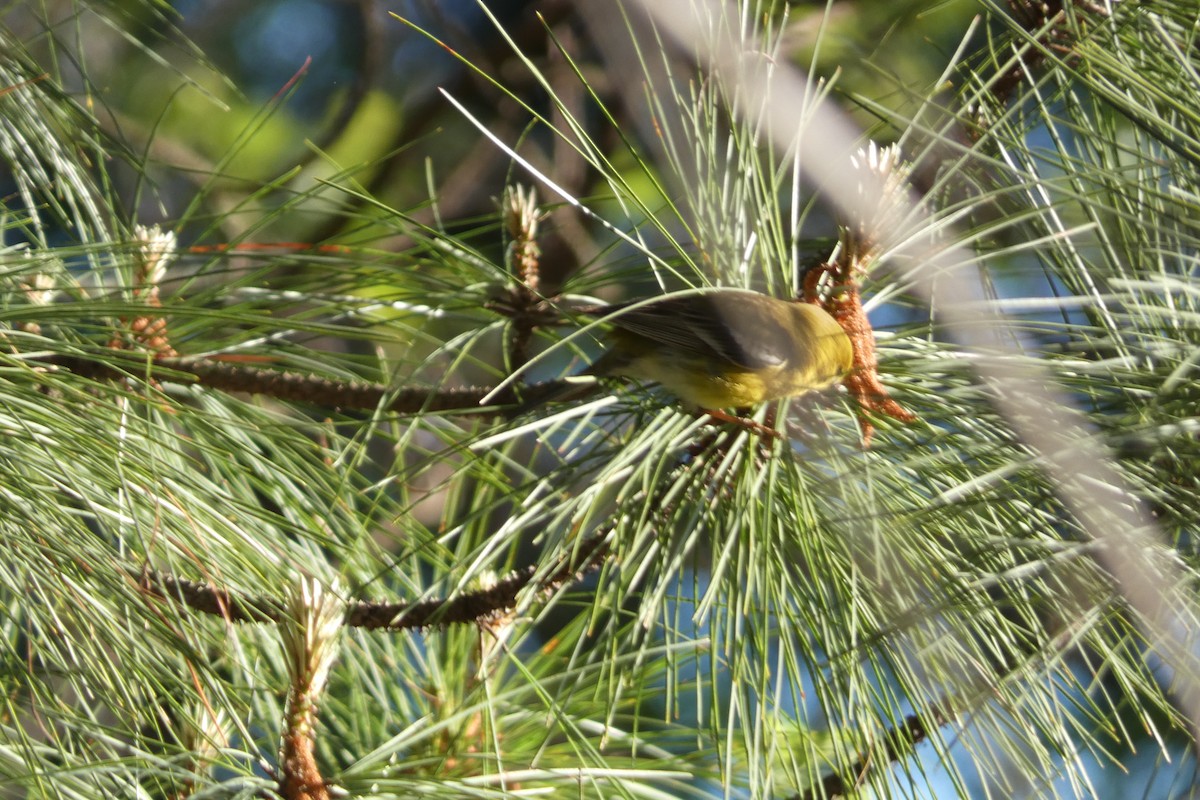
725 348
